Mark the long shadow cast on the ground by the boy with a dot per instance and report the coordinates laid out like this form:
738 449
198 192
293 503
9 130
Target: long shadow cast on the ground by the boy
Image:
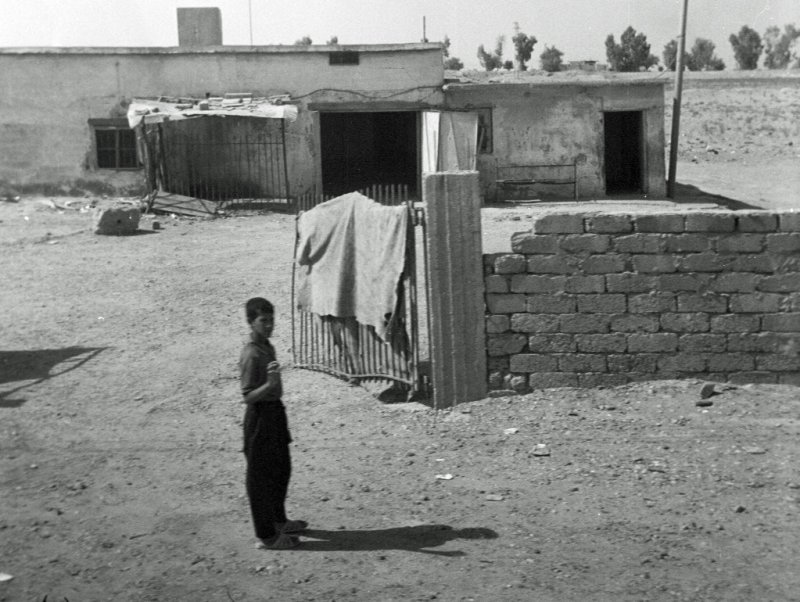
412 539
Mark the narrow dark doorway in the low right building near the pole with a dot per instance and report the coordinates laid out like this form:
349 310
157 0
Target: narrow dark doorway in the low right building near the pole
623 154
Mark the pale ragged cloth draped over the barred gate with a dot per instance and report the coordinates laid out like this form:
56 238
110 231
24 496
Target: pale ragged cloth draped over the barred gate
351 254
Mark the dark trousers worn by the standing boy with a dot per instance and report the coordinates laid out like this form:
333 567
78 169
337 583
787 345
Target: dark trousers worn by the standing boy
266 447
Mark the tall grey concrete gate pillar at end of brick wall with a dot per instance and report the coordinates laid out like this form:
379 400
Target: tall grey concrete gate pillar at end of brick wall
455 286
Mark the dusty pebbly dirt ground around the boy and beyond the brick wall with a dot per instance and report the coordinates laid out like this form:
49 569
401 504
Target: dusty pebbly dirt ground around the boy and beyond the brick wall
121 475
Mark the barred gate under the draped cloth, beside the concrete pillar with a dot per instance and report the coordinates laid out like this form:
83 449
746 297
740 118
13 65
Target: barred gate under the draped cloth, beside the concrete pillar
353 351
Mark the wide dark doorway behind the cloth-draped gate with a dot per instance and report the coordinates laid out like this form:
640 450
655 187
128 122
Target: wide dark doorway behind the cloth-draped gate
366 149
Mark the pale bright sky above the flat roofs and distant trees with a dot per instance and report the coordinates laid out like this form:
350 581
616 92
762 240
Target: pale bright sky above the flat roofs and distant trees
576 27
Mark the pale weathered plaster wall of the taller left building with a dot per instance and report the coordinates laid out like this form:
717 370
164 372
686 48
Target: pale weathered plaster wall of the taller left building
47 97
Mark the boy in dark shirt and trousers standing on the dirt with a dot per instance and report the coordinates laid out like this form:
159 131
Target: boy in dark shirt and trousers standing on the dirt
266 433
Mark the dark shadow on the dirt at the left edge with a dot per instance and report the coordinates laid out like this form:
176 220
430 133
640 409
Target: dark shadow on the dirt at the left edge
30 367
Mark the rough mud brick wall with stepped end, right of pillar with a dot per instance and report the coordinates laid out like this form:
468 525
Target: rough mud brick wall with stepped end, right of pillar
606 299
